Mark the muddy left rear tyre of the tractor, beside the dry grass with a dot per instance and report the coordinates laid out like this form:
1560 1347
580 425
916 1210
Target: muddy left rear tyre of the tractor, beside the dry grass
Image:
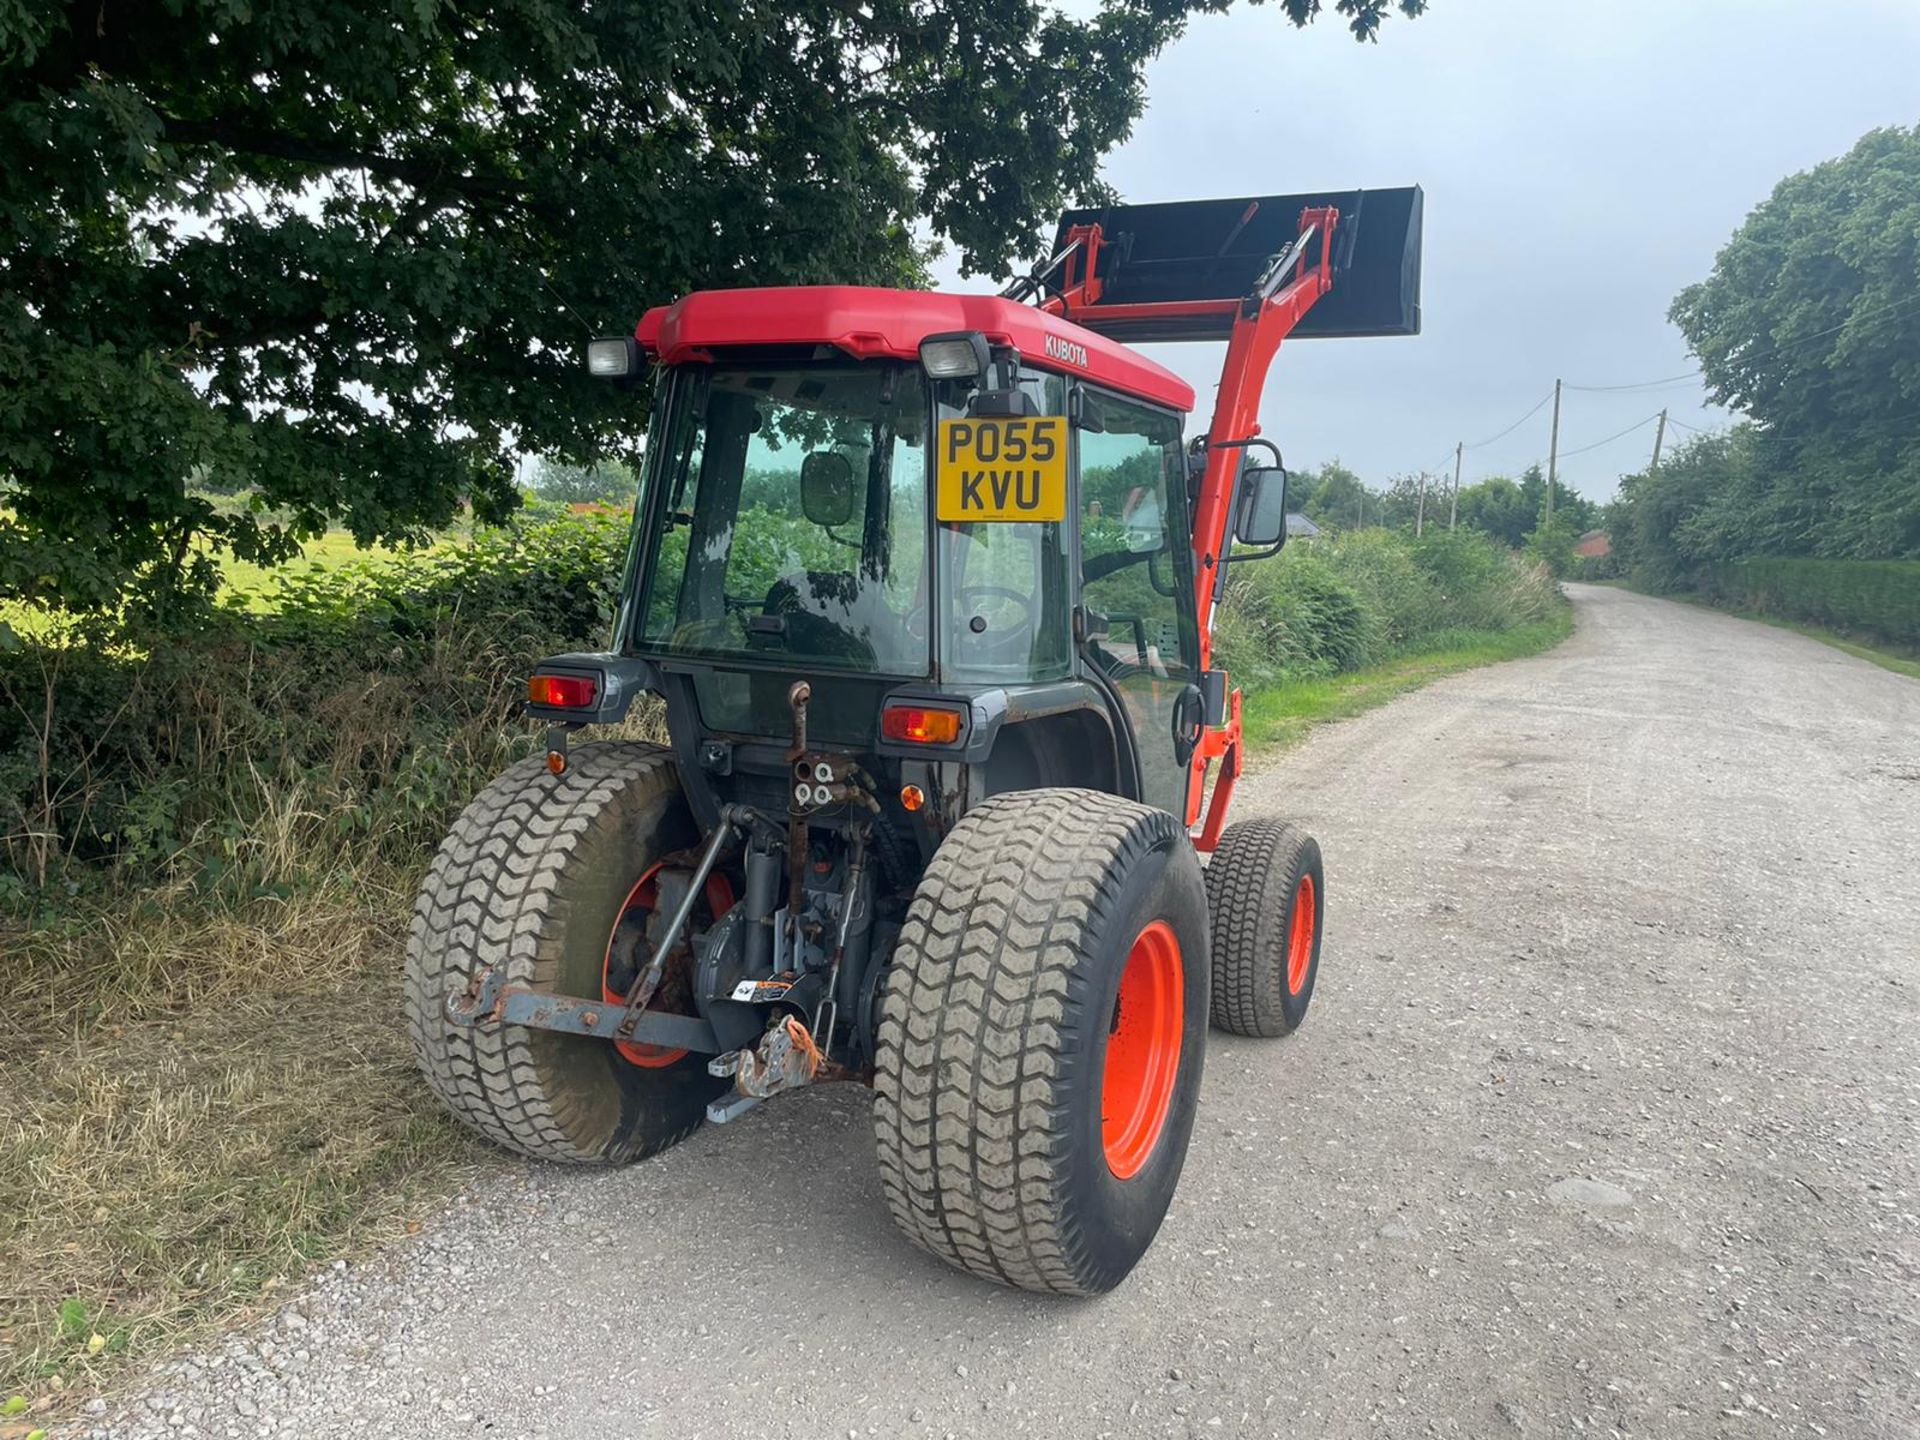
542 873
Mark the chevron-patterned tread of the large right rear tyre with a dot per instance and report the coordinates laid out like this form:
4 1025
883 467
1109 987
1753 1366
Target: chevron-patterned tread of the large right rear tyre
980 1005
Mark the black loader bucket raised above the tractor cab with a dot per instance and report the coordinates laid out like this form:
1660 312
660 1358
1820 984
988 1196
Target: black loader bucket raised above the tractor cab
1197 251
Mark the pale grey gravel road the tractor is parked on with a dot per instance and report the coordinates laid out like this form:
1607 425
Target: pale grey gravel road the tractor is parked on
1606 1122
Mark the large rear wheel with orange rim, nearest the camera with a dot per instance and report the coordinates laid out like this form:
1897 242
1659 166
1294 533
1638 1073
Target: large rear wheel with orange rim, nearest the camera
1042 1038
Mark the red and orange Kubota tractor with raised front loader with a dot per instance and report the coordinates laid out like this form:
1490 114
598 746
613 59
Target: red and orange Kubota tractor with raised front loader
926 587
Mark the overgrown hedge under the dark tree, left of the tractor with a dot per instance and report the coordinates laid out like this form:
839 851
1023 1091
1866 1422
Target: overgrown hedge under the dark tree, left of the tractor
260 752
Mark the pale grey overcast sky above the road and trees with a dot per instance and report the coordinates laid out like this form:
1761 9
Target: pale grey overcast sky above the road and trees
1583 162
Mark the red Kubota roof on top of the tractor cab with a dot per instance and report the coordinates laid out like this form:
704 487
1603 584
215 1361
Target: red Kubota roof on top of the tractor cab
871 324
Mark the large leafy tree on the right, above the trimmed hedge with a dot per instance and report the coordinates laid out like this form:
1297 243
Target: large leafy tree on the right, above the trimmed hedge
1812 325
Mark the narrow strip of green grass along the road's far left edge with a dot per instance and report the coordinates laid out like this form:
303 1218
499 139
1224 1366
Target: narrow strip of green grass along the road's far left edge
1282 715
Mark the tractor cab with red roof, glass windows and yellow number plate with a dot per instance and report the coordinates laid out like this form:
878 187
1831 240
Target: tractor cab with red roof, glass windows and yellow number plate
992 523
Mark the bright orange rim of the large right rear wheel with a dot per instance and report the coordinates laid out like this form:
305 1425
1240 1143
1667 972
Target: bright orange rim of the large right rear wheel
1143 1049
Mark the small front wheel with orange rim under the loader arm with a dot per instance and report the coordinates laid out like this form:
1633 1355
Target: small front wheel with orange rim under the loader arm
1268 900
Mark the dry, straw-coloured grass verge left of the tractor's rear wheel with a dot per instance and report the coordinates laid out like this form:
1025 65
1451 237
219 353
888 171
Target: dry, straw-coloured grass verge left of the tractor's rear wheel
185 1141
